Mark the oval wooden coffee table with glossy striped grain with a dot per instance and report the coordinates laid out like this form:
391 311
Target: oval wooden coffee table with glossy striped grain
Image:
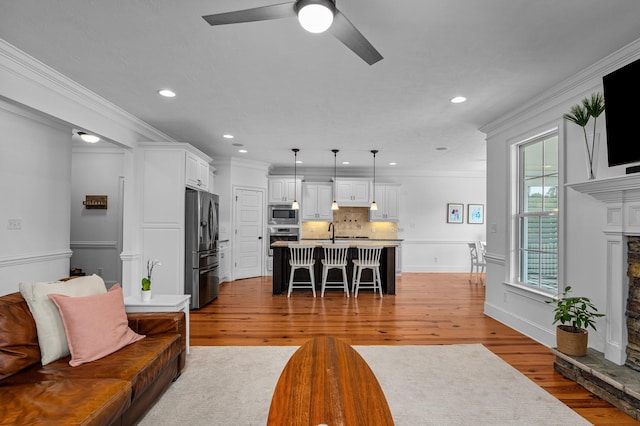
327 382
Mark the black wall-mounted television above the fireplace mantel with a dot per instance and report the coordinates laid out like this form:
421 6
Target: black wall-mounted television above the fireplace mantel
621 92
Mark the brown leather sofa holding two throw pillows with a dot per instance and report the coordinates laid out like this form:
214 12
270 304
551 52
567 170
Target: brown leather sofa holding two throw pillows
115 390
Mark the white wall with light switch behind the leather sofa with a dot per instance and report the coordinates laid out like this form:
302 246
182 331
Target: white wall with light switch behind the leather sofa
35 177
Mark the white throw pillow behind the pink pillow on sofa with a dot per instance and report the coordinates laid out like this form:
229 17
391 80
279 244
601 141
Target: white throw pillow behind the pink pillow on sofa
51 336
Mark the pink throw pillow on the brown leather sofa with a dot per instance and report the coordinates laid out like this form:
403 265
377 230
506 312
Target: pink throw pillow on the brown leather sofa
96 326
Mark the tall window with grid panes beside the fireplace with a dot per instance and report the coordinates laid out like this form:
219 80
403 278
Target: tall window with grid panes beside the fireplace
538 213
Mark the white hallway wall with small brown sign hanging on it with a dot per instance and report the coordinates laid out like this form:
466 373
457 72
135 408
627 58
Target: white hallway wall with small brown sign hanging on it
96 235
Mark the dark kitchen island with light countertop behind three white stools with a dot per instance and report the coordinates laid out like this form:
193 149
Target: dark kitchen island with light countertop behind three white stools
281 268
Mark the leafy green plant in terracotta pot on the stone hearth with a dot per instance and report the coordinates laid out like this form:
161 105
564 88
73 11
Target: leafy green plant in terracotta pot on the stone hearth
574 314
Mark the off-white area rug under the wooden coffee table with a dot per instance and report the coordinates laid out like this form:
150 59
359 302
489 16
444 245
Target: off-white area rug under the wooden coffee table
424 385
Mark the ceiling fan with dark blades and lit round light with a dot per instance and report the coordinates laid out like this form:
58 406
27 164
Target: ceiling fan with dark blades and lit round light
315 16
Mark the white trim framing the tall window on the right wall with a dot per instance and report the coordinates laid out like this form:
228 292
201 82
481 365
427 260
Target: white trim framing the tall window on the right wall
513 264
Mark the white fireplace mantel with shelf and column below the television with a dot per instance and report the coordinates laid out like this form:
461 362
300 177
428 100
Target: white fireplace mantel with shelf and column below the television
621 196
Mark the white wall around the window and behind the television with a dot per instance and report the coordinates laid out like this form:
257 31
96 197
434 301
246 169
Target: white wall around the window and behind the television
582 218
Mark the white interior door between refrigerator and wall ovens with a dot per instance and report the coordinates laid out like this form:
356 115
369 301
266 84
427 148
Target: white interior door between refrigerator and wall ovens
248 236
